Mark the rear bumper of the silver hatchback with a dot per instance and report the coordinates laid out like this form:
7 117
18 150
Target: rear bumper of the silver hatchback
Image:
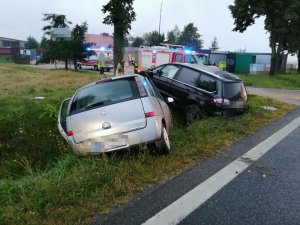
148 134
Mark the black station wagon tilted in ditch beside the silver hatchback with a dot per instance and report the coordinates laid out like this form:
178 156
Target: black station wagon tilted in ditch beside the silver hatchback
200 89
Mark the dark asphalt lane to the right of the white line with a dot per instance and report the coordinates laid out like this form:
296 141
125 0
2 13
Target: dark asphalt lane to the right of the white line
268 192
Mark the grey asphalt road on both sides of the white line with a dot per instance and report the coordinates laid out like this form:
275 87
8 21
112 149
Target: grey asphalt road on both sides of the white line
266 192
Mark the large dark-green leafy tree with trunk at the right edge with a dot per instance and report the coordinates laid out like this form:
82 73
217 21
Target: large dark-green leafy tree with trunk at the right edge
281 18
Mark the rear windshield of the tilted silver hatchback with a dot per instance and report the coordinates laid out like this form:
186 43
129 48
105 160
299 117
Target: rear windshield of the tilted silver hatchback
104 93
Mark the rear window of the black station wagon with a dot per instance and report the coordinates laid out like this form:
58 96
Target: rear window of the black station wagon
234 91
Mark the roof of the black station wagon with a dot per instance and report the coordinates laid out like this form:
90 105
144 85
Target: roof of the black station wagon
214 71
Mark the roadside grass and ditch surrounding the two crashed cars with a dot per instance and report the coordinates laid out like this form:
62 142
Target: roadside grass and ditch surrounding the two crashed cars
41 182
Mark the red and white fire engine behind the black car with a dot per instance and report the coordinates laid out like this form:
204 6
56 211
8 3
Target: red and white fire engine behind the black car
149 57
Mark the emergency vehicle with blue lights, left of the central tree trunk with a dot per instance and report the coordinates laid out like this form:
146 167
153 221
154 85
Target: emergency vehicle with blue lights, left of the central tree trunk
92 62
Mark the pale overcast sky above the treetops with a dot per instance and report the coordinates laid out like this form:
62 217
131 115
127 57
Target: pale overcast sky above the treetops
21 18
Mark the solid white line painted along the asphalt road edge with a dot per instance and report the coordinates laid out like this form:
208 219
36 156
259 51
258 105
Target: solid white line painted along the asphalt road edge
186 204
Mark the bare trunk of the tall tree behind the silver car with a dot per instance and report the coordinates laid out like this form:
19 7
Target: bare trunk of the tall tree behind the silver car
118 47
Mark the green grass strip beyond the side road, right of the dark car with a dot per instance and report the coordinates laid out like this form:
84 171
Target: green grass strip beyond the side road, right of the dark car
282 81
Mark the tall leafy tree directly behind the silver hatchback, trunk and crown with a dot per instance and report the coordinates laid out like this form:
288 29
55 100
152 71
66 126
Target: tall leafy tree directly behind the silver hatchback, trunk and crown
120 15
